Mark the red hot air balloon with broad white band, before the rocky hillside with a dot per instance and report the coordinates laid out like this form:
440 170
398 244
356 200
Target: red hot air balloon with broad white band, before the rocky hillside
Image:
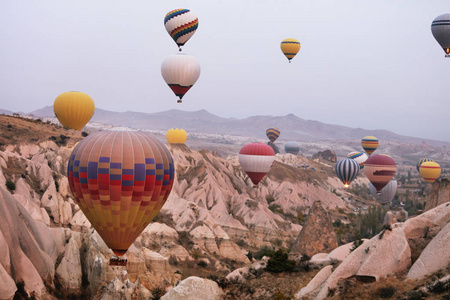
256 159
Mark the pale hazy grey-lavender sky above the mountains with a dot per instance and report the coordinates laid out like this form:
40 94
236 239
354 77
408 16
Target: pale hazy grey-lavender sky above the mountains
362 63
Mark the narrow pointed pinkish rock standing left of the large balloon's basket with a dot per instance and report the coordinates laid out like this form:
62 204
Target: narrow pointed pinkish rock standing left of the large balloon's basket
69 273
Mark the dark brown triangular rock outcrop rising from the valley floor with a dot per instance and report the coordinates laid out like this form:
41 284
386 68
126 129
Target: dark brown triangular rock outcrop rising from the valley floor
317 235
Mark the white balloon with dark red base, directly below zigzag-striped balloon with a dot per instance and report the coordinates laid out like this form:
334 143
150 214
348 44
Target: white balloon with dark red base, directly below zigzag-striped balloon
180 71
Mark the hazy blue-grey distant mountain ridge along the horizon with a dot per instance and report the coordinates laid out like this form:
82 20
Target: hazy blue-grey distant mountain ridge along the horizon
291 126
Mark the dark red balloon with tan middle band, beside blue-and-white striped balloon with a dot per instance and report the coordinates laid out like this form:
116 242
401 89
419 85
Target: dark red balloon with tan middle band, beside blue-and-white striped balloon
380 169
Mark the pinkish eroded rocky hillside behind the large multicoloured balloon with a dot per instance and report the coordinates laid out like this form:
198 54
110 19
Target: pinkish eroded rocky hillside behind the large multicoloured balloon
213 217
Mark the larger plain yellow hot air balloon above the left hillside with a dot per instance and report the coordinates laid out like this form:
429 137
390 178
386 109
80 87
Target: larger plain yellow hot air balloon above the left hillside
74 109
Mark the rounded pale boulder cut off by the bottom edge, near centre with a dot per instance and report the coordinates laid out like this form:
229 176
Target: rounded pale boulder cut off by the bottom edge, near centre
195 288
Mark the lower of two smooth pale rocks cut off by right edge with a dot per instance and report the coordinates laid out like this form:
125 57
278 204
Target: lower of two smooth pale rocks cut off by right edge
434 257
